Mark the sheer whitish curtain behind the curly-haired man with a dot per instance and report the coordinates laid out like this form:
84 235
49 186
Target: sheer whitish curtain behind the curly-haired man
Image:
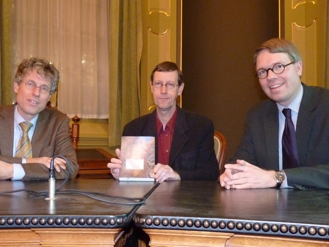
73 35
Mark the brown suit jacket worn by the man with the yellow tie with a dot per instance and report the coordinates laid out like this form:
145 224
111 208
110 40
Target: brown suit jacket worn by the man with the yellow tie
51 137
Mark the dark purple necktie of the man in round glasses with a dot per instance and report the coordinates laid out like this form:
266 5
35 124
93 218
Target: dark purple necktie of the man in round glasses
289 143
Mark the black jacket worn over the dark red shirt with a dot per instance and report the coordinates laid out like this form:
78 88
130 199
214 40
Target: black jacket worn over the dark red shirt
192 153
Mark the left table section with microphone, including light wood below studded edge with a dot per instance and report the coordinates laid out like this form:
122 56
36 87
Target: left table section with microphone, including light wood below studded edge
26 219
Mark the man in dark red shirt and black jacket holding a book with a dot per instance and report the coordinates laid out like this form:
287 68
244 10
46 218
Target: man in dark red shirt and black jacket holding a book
184 140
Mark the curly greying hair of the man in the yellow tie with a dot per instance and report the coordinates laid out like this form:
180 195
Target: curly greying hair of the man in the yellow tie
44 68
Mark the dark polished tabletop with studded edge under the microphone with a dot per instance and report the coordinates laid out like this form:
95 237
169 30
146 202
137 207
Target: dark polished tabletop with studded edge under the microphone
25 210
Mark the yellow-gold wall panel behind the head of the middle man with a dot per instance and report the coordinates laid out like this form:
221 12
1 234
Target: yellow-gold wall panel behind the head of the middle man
161 42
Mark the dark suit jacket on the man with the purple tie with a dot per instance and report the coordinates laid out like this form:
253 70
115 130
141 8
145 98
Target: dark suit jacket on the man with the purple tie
259 145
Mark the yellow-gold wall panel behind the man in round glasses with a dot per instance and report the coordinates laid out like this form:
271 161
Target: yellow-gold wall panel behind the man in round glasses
304 22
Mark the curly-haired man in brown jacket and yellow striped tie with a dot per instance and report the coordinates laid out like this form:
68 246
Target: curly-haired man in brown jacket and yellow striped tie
35 81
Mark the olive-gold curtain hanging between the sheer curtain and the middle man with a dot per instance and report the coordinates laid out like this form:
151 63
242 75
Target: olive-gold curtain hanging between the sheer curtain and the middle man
125 58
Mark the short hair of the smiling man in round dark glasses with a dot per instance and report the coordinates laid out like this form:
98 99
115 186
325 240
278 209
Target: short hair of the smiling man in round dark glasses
277 45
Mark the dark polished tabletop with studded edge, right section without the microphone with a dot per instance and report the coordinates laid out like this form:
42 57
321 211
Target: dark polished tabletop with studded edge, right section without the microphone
205 206
